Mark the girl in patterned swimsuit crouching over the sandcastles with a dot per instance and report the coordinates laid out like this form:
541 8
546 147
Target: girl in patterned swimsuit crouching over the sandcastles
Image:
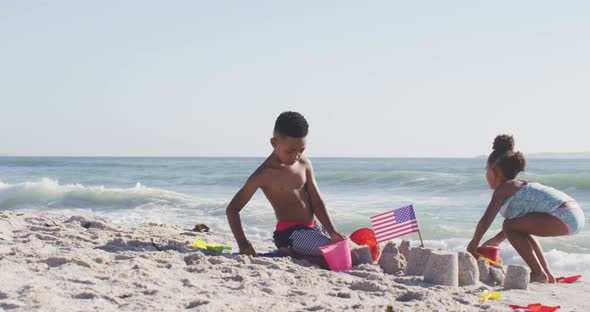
529 208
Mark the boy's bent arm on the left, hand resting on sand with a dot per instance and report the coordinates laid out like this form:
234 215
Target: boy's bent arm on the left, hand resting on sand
233 214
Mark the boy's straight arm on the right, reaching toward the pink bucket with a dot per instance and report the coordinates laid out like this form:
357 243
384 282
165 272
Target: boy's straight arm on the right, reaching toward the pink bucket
317 204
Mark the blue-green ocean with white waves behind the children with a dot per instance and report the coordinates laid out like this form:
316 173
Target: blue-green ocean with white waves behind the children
449 195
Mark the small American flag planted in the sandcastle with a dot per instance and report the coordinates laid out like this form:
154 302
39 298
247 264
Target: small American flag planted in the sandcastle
394 223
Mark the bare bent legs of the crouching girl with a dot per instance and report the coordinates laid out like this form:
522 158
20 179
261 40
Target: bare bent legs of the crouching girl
519 231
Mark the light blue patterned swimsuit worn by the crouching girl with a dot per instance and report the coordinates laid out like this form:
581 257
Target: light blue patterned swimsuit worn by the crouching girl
536 197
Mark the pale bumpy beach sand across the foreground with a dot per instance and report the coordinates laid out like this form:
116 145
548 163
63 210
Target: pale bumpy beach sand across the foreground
68 263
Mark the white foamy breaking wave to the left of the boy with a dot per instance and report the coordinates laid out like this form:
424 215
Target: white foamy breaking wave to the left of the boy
137 204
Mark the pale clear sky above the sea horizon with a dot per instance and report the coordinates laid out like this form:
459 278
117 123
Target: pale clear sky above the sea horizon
373 78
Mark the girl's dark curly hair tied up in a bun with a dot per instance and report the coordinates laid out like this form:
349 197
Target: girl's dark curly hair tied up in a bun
504 157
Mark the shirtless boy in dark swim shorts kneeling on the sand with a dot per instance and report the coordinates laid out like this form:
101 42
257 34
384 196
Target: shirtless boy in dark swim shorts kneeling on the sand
287 180
